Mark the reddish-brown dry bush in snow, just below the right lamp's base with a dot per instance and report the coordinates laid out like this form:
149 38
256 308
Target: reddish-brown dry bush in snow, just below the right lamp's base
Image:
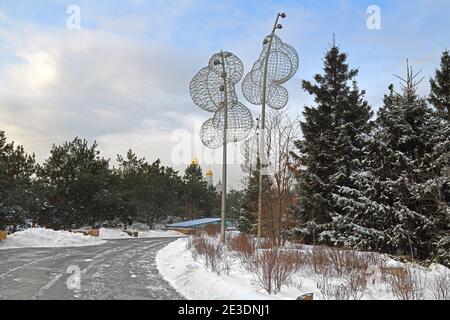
273 268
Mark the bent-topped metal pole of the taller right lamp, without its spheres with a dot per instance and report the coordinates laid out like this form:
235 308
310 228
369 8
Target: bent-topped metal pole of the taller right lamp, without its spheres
262 160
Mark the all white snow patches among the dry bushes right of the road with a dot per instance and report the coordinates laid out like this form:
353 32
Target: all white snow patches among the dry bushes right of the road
194 281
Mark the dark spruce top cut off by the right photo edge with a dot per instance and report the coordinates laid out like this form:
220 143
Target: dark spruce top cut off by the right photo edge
440 88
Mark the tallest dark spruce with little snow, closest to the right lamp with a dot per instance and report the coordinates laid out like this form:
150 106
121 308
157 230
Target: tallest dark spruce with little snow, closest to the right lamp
329 153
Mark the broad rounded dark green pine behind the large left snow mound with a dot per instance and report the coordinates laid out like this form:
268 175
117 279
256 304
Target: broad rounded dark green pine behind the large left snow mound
78 187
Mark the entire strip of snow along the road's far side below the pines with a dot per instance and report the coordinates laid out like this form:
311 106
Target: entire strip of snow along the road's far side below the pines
46 238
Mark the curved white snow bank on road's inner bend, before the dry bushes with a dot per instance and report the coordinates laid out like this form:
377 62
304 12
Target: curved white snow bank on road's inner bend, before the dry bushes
195 282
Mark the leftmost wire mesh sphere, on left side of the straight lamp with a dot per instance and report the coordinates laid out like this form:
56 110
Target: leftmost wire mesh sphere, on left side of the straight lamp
207 90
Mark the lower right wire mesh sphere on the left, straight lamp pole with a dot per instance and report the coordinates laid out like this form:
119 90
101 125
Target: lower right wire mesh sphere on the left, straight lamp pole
240 122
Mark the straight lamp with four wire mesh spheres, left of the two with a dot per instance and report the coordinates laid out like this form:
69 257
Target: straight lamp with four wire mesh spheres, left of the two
213 90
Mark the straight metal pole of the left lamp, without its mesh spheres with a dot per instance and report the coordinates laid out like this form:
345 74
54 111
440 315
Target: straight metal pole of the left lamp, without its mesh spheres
224 164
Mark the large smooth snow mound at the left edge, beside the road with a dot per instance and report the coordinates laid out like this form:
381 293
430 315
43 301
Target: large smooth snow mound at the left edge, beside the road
38 237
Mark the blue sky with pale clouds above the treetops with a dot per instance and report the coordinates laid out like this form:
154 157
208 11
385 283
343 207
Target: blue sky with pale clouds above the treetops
122 78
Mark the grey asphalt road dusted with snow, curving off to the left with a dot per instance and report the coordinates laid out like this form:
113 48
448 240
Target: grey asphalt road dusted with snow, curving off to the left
118 269
